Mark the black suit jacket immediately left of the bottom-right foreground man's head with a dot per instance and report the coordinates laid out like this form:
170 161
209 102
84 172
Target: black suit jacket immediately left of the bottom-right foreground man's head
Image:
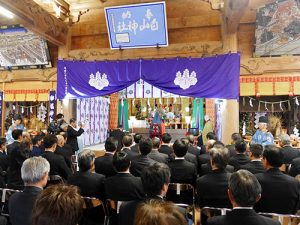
212 189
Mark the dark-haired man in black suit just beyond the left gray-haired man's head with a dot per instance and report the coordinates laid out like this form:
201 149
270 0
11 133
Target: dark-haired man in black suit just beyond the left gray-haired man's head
58 165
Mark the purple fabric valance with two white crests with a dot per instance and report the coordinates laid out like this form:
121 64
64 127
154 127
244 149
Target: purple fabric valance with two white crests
213 77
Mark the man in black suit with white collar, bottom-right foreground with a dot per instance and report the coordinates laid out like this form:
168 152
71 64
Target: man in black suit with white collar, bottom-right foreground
244 191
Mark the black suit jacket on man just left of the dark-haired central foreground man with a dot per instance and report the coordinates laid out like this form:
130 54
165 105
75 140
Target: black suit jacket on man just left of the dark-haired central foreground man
124 187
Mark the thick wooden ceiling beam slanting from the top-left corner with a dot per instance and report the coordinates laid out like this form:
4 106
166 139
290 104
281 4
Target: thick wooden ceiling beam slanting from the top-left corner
38 20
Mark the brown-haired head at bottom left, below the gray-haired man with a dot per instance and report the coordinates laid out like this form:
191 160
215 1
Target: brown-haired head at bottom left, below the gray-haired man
58 205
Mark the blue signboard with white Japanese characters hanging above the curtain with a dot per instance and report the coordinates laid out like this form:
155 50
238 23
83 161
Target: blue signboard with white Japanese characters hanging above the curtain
137 26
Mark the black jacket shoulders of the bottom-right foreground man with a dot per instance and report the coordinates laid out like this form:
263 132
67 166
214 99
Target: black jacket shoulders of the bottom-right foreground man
241 216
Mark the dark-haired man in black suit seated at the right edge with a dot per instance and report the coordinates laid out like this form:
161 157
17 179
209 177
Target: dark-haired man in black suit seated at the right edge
280 192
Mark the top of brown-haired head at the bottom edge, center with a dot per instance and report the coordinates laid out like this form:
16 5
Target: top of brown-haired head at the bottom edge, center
159 213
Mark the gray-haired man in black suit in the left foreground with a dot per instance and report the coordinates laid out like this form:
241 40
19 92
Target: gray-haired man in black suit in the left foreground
35 175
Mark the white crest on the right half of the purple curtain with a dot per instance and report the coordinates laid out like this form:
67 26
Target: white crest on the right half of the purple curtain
185 80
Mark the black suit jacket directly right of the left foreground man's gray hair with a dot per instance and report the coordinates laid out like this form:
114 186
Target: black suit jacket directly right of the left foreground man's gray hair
58 165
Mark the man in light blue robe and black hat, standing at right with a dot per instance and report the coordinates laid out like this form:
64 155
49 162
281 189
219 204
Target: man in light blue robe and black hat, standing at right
262 135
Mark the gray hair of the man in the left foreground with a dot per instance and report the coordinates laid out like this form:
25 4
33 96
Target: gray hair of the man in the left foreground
34 169
